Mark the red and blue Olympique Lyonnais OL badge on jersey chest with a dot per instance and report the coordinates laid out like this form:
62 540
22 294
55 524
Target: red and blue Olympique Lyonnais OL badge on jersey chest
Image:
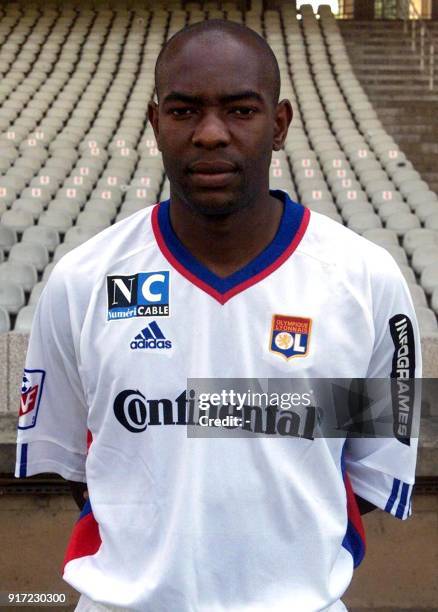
290 336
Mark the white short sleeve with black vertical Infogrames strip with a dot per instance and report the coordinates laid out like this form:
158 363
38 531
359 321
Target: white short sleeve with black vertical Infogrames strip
382 470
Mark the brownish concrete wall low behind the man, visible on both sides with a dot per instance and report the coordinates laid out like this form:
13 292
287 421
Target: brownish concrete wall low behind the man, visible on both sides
399 570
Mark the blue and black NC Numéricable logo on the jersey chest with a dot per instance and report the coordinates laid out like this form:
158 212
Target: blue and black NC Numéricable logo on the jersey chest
145 294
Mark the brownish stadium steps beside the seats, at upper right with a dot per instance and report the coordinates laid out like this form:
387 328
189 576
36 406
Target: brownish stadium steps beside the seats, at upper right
397 89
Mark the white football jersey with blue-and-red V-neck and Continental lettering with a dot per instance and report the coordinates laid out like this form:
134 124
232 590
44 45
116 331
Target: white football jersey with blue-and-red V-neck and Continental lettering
183 524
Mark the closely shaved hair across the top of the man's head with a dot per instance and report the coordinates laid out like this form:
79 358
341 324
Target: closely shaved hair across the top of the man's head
220 32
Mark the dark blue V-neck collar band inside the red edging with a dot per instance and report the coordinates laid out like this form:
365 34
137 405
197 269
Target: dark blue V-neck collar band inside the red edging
290 223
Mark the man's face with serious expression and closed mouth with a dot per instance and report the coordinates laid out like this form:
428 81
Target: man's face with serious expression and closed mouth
216 123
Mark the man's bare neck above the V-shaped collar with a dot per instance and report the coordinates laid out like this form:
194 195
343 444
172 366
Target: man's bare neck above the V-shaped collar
226 244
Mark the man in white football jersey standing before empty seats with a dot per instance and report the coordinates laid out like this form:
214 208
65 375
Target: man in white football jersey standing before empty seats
225 280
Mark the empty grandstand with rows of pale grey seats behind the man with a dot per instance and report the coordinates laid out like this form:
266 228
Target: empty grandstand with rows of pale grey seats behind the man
77 154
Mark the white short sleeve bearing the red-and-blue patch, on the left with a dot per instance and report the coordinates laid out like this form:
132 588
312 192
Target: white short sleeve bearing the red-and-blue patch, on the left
52 422
